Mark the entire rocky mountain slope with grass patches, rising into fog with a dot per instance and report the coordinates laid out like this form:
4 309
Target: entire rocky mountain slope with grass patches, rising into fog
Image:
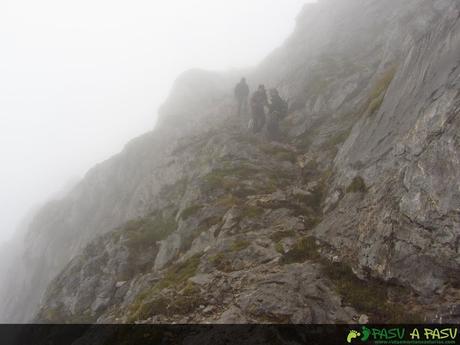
354 217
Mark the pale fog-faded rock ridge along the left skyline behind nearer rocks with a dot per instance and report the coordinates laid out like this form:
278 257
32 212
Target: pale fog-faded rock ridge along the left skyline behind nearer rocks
122 188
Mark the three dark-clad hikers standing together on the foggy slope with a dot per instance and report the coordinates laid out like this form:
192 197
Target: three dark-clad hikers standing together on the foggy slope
276 106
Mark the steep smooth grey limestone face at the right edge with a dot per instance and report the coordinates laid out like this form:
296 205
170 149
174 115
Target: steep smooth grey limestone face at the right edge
407 153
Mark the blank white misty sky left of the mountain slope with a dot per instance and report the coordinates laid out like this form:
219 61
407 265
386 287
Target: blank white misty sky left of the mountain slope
78 79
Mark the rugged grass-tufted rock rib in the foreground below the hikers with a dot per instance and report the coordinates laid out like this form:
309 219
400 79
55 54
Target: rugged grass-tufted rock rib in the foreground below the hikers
223 236
